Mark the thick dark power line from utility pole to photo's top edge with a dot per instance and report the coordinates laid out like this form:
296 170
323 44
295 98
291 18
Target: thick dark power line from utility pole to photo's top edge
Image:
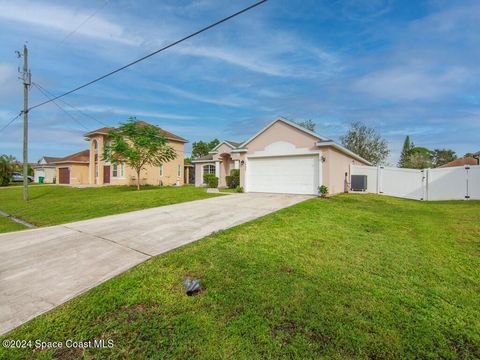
153 53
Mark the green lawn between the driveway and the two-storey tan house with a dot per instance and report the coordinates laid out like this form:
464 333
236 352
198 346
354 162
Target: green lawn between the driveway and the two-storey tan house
51 205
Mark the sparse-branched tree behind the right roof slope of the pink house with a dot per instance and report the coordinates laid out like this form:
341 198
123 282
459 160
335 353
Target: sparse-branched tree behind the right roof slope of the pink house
366 142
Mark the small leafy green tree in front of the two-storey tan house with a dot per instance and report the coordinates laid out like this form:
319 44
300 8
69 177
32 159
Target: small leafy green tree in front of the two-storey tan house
138 144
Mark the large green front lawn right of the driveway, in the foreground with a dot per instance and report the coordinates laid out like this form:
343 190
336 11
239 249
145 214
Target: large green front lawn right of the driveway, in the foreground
354 276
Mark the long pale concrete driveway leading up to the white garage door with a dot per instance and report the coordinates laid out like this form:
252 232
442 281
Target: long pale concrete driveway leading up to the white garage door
43 268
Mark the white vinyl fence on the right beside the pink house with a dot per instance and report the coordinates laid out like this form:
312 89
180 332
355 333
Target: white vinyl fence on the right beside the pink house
455 183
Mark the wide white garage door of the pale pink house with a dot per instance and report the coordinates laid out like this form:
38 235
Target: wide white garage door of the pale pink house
285 174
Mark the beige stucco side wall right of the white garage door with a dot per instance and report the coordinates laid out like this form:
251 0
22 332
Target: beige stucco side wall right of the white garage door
334 168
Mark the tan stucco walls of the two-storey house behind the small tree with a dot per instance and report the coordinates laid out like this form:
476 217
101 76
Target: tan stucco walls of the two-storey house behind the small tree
150 175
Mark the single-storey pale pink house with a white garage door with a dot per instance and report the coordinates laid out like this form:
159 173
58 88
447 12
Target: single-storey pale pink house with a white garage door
282 158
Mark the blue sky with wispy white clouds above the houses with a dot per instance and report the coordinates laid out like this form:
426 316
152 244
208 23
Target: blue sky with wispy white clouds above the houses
402 67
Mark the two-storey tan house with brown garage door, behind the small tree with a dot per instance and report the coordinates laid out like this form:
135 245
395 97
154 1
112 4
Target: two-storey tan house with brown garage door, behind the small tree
88 168
